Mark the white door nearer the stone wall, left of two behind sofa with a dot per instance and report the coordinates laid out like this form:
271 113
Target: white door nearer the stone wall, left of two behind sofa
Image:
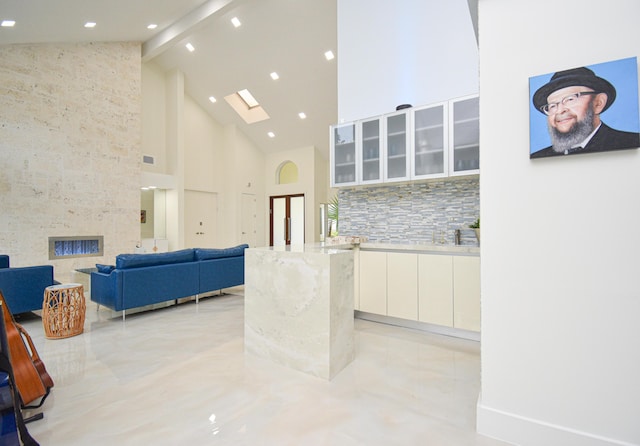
200 219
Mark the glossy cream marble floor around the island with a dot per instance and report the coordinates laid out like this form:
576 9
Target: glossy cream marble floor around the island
179 375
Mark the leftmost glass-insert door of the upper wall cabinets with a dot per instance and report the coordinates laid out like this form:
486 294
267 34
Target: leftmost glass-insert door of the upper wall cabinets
343 142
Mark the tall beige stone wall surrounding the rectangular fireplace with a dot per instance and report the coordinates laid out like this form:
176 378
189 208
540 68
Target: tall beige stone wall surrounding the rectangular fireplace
70 131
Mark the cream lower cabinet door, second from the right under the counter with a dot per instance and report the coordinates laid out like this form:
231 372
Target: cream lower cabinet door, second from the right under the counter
435 285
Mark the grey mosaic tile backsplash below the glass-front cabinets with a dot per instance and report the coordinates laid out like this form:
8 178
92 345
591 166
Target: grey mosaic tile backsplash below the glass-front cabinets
427 212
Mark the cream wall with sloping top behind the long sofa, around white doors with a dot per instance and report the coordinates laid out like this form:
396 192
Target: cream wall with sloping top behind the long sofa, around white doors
198 153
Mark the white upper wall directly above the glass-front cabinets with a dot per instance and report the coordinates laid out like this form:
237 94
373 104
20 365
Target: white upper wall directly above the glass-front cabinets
407 51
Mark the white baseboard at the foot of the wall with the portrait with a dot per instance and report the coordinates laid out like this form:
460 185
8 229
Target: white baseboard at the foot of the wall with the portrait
523 431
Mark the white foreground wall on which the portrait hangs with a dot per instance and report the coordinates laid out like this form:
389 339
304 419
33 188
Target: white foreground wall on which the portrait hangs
560 296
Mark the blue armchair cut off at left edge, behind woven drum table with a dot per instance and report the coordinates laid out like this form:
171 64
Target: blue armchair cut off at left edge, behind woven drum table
23 287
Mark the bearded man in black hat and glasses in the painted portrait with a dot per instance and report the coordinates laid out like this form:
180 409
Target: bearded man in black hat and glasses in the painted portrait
573 101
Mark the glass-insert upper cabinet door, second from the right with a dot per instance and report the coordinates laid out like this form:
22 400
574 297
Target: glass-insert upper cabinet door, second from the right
429 142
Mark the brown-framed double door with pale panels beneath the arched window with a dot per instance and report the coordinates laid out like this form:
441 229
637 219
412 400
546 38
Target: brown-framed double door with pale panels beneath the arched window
287 220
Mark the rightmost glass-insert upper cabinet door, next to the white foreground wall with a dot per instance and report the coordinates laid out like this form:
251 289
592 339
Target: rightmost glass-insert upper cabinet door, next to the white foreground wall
466 135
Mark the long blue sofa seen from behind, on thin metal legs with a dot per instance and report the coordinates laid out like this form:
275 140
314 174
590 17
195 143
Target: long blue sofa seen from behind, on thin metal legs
138 280
